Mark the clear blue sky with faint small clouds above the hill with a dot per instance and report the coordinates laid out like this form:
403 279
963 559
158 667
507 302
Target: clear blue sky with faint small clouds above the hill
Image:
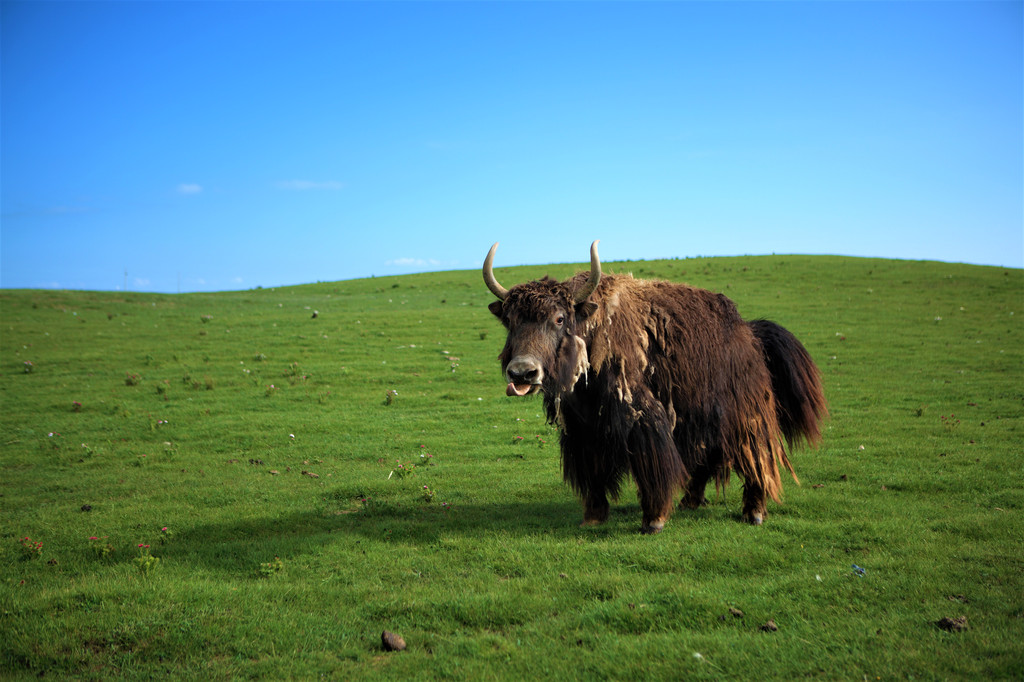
204 147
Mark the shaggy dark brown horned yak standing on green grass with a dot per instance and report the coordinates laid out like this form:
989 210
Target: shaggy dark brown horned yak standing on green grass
659 380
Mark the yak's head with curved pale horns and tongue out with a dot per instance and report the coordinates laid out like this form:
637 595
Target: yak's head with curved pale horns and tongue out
544 351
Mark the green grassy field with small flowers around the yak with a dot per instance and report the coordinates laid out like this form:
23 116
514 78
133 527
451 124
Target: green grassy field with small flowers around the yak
222 486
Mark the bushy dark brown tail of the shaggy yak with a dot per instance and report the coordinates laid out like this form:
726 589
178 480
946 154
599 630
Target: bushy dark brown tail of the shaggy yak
796 381
